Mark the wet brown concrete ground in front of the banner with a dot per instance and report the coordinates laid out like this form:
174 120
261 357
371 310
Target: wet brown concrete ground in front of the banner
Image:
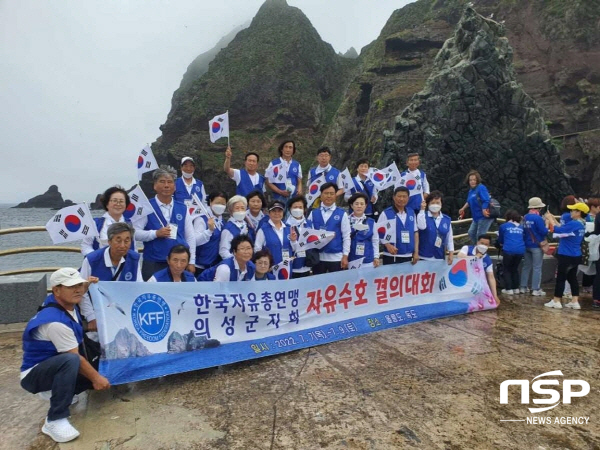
432 385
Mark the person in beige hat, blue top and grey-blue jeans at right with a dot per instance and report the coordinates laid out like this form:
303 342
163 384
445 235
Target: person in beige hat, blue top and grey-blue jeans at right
534 232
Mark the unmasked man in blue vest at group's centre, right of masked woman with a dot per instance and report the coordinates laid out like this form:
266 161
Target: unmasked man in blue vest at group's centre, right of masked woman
334 256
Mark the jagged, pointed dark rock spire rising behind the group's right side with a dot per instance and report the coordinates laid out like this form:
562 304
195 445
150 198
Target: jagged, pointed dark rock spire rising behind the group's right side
473 114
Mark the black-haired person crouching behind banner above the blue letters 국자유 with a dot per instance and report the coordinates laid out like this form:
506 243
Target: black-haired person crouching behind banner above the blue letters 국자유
238 267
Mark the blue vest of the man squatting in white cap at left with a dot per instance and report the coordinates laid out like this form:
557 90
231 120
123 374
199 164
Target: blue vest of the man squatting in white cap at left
36 351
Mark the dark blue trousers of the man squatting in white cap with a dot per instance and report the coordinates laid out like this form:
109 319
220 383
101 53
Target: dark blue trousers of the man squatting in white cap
59 374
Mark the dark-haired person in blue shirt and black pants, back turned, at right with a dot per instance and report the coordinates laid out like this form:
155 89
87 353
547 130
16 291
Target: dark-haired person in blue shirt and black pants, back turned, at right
512 240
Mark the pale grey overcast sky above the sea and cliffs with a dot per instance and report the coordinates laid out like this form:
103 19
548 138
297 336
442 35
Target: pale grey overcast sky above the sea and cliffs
84 85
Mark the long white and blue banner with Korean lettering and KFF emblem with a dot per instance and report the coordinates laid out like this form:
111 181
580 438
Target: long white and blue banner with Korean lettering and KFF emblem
152 329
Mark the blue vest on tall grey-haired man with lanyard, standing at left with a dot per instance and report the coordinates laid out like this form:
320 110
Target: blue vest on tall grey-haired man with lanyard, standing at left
158 249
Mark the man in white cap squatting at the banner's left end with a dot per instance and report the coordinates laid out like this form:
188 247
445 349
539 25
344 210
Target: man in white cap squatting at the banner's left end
53 363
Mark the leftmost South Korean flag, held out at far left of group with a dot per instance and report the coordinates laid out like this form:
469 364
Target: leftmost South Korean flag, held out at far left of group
72 224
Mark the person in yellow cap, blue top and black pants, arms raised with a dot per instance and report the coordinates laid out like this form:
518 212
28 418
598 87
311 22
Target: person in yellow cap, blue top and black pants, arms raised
568 254
